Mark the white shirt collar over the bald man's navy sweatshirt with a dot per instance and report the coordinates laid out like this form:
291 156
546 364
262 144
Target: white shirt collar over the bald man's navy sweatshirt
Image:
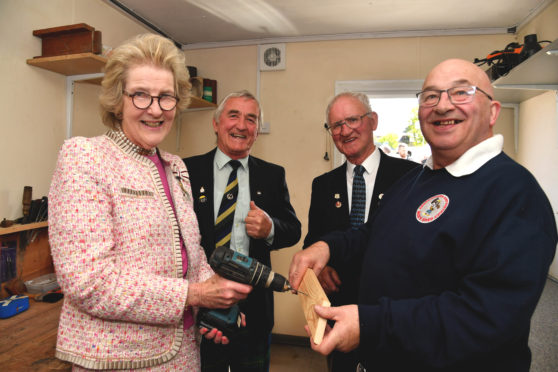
475 157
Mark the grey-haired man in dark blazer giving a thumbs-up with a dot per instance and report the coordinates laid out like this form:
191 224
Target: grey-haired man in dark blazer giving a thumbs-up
264 220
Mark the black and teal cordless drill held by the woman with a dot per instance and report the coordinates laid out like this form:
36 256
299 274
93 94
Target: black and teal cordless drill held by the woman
243 269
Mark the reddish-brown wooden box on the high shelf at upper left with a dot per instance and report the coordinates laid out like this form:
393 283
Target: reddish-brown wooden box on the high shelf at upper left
72 39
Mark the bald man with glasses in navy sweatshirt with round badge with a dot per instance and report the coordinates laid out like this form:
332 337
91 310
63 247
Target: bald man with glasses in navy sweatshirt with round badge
457 255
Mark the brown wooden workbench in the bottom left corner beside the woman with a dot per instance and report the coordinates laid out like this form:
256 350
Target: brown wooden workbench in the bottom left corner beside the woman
28 340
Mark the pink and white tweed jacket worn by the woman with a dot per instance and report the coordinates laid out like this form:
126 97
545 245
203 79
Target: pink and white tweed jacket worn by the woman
116 249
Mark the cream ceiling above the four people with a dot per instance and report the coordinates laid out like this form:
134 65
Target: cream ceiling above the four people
199 22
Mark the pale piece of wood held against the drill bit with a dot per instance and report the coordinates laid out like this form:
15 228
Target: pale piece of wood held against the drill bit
316 296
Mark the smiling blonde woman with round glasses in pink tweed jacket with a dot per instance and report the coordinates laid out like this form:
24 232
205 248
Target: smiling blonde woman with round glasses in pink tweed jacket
124 236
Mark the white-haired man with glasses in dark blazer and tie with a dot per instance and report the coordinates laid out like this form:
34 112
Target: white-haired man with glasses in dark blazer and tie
335 201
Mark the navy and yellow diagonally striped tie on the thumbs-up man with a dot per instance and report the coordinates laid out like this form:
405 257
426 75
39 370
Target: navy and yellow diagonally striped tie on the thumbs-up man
224 222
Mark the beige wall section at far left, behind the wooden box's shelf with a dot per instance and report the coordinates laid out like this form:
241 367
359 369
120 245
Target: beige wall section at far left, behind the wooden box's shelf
33 102
